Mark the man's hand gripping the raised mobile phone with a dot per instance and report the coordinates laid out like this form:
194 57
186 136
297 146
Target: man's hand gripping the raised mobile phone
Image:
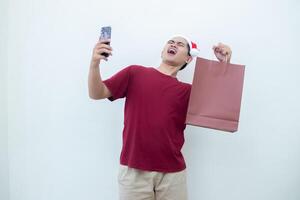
101 47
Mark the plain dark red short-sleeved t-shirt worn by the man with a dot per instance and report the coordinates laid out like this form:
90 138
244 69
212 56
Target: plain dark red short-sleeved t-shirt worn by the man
154 119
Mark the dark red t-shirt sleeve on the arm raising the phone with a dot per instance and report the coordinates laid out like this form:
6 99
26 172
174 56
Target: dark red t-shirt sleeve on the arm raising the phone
118 84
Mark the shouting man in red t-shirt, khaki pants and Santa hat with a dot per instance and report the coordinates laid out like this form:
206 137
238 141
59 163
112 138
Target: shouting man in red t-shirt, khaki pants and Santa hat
151 163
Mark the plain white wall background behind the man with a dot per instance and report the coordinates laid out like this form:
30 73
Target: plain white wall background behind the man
57 144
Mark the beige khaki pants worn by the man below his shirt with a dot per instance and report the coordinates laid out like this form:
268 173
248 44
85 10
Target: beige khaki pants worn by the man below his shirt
135 184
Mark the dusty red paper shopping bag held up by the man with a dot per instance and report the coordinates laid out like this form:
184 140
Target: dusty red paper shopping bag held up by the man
216 95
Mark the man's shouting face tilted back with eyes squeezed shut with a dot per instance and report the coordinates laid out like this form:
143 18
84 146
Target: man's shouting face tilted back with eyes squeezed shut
175 52
